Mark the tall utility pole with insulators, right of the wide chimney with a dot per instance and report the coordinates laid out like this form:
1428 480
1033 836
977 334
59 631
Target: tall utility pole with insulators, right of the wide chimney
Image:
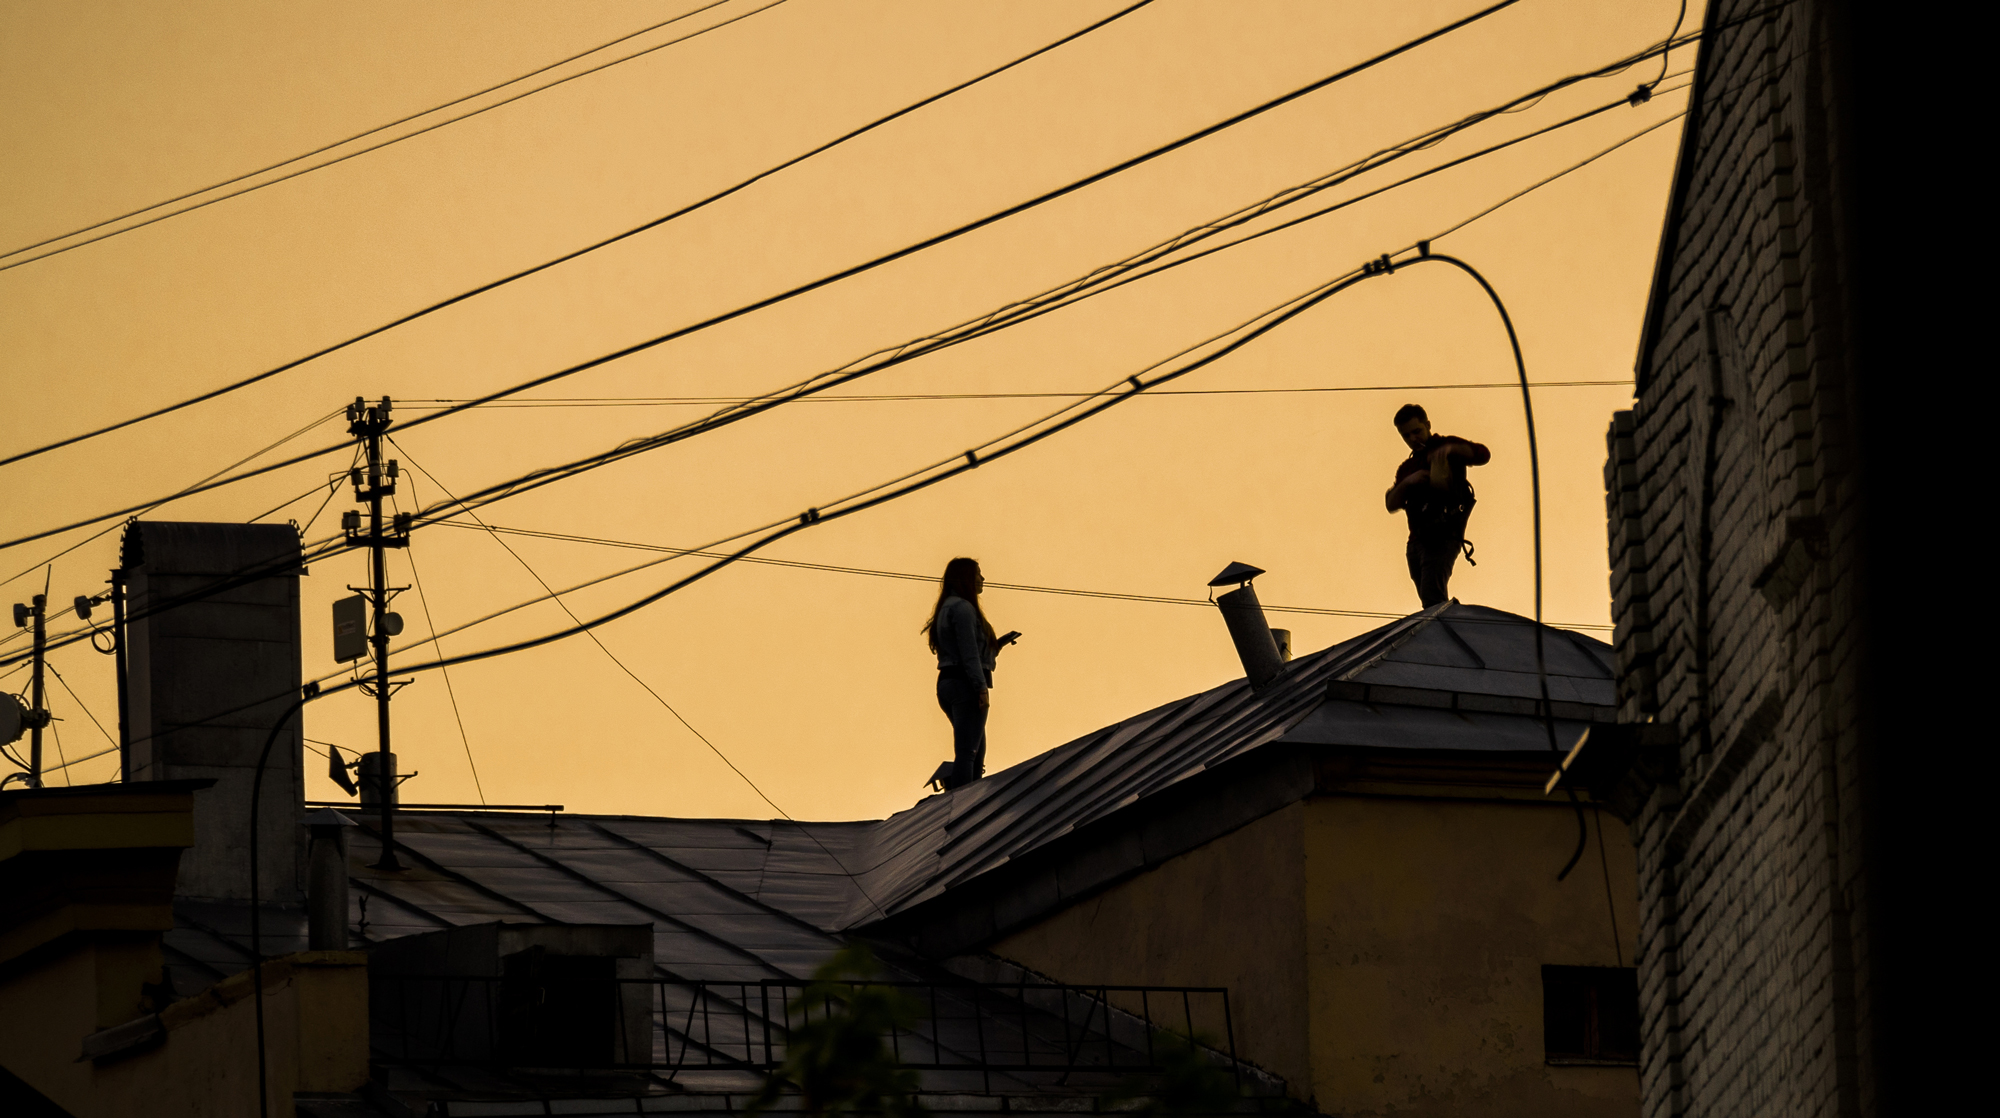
375 483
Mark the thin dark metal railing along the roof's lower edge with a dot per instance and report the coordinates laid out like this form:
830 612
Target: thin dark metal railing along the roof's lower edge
663 1025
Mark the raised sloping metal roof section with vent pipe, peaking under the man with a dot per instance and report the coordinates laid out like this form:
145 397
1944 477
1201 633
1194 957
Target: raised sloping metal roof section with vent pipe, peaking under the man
1447 679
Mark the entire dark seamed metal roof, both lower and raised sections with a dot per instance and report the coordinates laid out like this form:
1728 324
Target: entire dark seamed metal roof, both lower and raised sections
743 913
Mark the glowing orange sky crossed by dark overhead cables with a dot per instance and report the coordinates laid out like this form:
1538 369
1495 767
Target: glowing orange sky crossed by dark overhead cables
817 685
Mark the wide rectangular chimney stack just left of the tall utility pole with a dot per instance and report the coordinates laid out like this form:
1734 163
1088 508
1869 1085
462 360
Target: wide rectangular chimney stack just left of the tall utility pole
225 639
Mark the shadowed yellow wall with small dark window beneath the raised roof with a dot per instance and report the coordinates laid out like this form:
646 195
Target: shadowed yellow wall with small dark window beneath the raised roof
1383 947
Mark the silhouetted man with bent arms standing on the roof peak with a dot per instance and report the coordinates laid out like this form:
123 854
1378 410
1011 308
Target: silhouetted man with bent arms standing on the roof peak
1433 491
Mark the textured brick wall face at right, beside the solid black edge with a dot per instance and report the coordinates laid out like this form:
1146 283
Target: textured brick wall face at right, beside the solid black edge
1733 503
